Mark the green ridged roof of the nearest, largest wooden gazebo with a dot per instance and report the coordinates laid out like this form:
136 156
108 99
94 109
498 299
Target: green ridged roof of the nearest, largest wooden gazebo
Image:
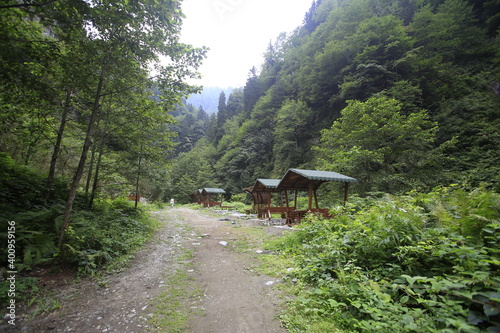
302 179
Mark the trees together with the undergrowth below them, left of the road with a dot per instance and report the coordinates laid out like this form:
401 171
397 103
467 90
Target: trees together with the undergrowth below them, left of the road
85 93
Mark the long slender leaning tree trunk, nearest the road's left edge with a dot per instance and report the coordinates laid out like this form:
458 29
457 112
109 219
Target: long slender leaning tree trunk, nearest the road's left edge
81 165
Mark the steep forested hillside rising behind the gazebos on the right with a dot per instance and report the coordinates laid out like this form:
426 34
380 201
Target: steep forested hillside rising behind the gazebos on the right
400 94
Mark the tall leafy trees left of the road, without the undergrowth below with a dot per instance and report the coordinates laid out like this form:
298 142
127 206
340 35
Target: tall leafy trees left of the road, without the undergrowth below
86 88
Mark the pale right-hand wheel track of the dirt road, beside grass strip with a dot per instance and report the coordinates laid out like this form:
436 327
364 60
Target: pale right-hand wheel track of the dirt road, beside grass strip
236 300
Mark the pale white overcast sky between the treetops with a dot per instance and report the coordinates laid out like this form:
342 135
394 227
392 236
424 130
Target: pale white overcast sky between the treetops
237 33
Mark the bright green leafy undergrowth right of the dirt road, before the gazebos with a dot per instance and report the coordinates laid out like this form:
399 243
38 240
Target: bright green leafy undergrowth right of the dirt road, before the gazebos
419 263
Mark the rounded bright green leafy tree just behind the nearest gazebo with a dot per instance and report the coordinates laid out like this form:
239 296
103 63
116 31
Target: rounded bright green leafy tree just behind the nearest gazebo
379 145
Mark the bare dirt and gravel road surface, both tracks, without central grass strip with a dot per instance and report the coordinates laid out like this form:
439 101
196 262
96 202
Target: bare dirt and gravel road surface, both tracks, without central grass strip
233 299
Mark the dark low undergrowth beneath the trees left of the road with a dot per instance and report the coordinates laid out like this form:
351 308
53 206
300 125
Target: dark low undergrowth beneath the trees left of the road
98 240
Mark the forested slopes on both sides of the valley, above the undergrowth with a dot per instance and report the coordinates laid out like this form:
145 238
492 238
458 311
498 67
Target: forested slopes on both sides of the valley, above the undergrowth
400 95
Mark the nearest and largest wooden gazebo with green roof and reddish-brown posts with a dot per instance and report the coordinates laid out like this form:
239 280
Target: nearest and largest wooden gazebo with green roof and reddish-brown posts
310 180
